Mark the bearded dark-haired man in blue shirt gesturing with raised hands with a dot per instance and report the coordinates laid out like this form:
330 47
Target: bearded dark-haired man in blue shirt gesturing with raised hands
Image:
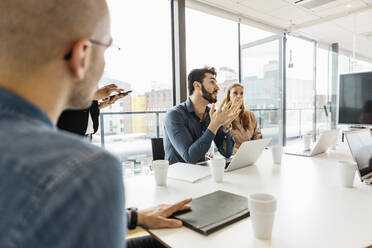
191 127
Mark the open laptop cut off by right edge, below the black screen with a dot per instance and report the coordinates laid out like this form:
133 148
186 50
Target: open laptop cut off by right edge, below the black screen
360 144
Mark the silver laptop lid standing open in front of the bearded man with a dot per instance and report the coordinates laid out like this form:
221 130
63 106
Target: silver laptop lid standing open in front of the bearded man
247 154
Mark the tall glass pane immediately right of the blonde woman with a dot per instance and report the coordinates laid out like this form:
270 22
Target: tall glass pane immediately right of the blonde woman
262 81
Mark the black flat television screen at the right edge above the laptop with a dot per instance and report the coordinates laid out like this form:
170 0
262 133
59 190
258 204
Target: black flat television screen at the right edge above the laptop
355 102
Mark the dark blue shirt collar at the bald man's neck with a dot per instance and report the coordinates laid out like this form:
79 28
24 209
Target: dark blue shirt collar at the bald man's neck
11 102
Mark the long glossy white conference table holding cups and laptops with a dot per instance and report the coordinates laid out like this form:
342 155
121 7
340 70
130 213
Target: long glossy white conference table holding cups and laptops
313 209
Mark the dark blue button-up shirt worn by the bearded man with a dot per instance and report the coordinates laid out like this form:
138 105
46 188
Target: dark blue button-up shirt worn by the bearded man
188 139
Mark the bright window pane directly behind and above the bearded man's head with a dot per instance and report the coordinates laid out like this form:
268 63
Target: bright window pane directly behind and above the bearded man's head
213 41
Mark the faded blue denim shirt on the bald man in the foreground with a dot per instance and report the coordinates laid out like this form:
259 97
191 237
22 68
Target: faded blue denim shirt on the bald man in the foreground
55 189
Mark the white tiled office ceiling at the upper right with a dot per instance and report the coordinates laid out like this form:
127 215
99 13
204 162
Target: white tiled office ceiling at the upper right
327 21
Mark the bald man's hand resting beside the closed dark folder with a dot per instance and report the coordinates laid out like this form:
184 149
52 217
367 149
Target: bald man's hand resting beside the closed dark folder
157 217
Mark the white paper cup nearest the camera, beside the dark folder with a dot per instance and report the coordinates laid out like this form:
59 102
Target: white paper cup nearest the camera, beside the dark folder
262 209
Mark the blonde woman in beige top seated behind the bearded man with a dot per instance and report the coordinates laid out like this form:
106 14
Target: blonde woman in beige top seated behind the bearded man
244 127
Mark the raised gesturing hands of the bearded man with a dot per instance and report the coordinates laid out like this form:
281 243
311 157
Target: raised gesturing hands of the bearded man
225 115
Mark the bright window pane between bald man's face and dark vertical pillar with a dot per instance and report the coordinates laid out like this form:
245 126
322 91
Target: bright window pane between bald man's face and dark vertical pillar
144 65
